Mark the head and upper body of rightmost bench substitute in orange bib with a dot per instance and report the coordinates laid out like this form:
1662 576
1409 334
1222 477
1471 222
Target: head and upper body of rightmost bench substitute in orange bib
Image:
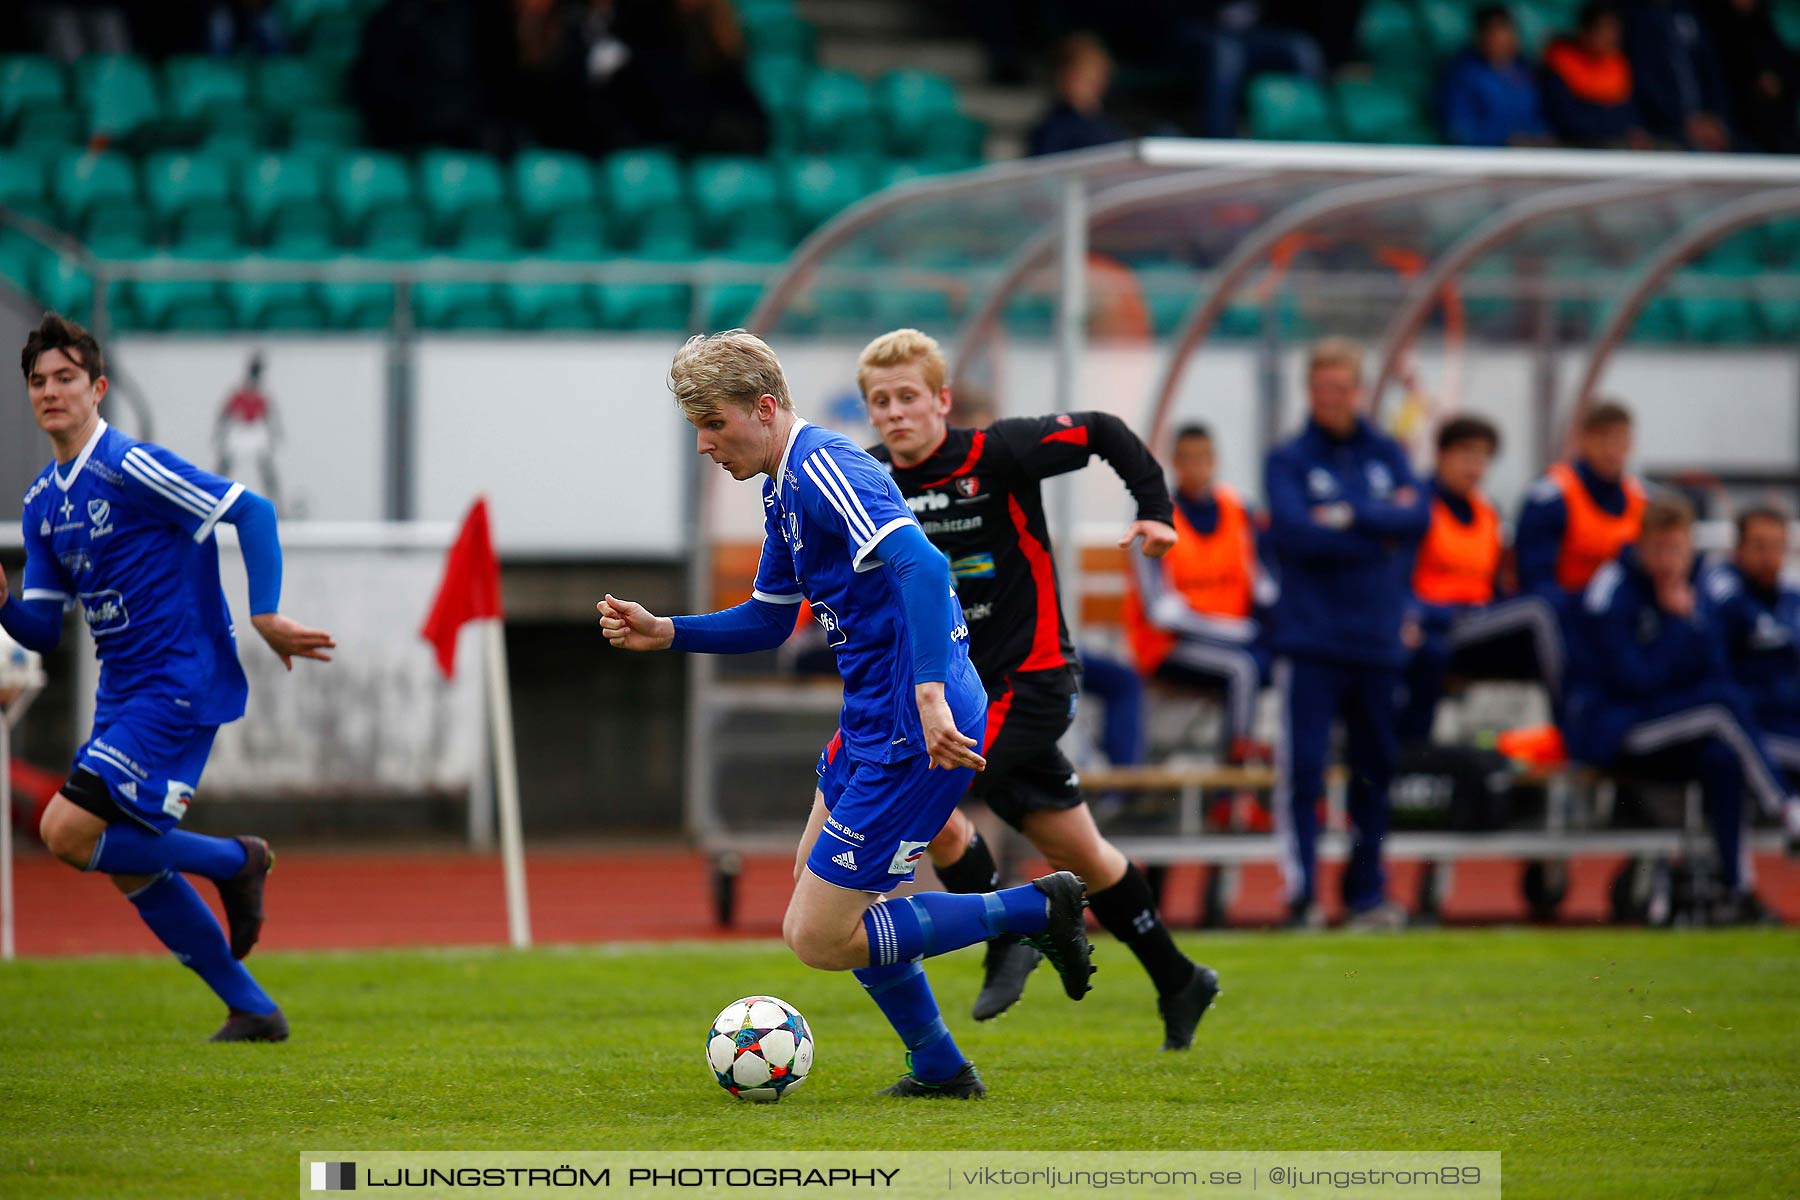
1583 512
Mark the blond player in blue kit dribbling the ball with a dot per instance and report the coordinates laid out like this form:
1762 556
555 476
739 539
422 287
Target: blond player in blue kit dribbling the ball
838 535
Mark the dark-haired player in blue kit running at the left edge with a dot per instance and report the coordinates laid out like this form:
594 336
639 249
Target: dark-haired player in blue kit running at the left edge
125 532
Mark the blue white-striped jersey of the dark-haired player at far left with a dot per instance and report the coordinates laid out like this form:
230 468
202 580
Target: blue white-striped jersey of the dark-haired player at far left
125 532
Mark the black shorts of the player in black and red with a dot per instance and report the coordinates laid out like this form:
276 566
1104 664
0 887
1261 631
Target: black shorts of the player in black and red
1027 769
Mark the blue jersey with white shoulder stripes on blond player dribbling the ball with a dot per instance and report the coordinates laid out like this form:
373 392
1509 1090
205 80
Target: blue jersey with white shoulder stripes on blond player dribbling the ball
825 514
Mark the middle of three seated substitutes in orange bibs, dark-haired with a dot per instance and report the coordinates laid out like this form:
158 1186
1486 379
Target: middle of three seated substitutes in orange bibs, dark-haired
1459 623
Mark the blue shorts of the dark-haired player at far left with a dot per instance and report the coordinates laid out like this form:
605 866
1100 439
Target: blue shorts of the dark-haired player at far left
150 755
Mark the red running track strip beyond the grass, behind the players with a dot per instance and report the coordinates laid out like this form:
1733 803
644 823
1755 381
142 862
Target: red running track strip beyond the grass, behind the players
323 900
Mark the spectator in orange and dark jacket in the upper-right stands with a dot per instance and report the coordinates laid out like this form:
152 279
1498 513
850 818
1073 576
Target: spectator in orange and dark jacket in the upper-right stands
1588 87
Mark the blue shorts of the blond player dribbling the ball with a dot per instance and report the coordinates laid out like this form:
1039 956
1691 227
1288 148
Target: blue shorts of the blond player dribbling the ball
883 816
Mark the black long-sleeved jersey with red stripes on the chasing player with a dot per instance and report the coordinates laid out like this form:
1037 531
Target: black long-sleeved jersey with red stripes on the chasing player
980 503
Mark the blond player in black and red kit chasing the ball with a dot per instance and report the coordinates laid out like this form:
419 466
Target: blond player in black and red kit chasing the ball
976 494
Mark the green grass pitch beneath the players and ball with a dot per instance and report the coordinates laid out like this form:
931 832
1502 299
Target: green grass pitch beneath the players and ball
1601 1064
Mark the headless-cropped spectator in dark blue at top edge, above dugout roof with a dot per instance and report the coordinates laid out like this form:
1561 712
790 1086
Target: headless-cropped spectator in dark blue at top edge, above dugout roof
1236 40
